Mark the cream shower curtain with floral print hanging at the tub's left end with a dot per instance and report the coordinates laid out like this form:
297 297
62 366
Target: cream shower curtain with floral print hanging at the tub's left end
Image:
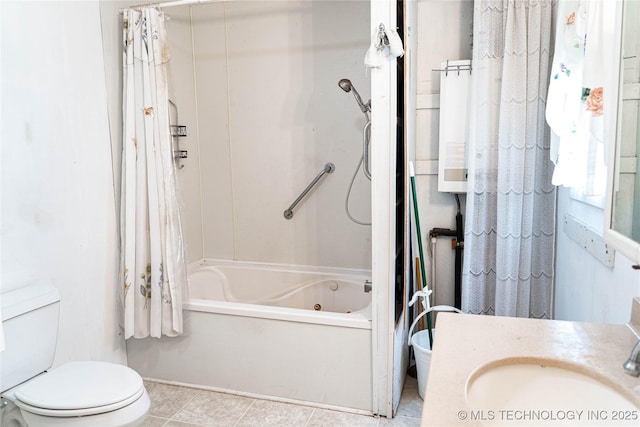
152 264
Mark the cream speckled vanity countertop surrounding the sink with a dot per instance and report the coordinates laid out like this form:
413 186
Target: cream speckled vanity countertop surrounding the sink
465 342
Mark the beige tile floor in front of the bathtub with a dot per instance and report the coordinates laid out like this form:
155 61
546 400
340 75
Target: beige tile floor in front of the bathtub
174 406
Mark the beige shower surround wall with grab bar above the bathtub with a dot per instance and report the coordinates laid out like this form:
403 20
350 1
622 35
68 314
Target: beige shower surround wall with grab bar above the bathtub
269 116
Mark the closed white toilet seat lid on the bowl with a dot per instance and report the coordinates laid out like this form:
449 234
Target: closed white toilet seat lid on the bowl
80 388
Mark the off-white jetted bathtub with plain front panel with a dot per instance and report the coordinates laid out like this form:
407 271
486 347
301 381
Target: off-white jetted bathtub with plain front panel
287 333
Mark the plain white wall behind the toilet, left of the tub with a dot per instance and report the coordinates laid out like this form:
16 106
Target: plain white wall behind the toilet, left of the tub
58 214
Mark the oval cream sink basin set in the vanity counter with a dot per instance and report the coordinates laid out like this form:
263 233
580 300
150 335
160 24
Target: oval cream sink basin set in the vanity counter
533 391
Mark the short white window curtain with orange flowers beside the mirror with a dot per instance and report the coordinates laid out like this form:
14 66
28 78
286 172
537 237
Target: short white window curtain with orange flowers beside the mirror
575 107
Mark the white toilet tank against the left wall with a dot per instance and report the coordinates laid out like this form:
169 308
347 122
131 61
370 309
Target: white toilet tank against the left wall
30 325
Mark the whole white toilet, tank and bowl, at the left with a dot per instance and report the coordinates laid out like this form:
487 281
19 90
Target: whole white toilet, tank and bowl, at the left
74 394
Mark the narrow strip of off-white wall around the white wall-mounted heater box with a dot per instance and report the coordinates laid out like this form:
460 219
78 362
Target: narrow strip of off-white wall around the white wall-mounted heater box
444 33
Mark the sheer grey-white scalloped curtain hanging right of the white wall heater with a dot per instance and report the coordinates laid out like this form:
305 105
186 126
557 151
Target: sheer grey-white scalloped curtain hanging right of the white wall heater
510 218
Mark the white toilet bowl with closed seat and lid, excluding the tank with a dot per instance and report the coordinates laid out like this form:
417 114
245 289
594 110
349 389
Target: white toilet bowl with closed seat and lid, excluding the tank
82 394
